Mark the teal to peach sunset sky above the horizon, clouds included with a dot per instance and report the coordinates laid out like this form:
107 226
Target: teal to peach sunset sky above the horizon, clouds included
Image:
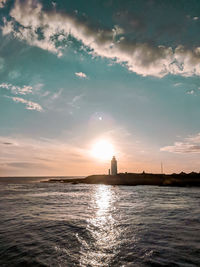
76 73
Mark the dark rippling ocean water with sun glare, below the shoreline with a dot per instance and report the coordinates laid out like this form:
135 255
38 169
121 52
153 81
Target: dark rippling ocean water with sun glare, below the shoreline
43 224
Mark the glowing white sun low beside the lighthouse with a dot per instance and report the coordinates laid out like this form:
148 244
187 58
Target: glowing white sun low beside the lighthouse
102 150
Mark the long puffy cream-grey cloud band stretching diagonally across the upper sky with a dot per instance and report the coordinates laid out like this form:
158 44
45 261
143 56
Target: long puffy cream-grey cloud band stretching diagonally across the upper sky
142 58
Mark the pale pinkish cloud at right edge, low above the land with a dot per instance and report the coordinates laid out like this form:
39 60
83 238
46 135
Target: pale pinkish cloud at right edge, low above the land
189 145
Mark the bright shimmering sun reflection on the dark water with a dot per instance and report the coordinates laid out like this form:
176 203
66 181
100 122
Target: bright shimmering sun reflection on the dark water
103 242
